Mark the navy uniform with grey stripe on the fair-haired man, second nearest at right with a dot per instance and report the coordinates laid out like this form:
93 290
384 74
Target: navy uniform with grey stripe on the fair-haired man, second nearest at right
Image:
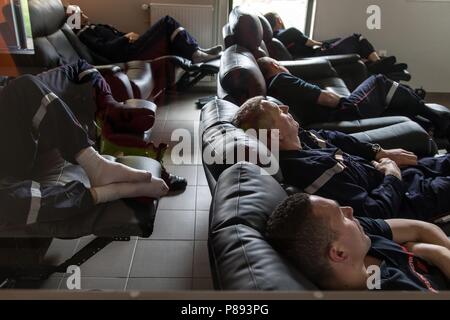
339 168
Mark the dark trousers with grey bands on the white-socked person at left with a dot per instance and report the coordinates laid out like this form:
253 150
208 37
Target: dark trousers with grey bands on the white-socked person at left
34 120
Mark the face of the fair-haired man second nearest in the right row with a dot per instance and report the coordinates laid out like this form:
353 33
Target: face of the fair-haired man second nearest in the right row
282 120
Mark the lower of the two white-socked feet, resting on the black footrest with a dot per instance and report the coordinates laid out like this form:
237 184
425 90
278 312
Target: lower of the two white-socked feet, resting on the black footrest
115 191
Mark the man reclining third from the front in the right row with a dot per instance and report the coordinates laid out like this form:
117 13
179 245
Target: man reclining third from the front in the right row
375 97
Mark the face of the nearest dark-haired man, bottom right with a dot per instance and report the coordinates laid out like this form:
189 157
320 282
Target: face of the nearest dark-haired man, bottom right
351 238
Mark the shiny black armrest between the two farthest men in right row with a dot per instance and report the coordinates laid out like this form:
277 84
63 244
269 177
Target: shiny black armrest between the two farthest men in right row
310 69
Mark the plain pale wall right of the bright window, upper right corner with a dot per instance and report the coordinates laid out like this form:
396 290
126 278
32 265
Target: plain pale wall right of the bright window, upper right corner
417 32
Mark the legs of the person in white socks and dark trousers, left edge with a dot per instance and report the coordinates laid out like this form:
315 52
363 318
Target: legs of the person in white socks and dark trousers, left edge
34 120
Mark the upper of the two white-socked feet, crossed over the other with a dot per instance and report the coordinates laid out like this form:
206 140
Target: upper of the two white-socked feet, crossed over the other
104 172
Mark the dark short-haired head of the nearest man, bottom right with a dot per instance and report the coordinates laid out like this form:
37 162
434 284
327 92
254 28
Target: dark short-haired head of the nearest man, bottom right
324 241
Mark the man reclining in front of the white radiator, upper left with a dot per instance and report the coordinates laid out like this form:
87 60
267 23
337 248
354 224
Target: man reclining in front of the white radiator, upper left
165 37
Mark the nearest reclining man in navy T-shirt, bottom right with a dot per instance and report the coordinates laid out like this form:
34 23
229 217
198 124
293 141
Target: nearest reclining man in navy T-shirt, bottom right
338 251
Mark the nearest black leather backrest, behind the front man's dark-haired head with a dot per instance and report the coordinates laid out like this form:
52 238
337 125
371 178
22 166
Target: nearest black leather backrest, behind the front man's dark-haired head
241 258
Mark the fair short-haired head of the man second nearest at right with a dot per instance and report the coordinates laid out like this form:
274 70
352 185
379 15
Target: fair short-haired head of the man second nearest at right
259 113
